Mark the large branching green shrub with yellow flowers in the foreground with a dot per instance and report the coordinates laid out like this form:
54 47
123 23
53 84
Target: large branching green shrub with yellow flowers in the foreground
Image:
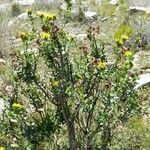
67 97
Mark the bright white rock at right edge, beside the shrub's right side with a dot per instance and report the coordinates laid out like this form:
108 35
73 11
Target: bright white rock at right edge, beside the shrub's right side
144 79
